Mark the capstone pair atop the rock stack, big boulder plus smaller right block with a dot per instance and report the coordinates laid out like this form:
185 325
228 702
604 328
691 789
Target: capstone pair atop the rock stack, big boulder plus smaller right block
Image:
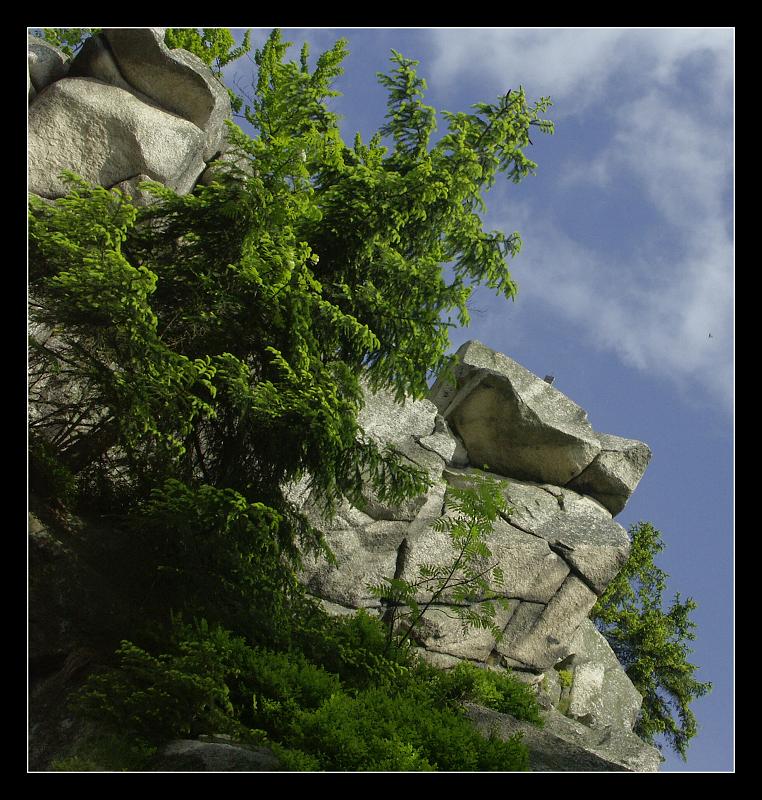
520 426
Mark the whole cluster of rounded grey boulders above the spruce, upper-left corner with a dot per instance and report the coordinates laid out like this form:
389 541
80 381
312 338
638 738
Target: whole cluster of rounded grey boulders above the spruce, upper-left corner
125 109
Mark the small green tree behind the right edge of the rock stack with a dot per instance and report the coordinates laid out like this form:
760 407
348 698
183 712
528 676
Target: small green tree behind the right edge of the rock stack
651 642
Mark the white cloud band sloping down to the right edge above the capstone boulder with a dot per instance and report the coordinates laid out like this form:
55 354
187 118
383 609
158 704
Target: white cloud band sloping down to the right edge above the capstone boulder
656 316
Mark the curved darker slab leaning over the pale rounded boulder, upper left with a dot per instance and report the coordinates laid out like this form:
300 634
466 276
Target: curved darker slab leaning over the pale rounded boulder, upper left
177 80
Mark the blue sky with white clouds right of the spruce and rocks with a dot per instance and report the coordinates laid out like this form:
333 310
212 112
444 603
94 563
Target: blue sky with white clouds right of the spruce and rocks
627 267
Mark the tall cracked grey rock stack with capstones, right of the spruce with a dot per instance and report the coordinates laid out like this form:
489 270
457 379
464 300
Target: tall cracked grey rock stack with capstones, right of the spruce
558 546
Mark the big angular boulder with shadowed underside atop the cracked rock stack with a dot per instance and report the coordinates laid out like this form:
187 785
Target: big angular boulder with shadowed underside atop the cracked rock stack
512 421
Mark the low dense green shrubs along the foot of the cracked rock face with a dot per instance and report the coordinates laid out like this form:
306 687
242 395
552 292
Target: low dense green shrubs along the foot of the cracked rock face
377 711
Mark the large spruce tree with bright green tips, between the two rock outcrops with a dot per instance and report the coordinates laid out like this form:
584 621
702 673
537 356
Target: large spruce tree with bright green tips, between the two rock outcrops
218 339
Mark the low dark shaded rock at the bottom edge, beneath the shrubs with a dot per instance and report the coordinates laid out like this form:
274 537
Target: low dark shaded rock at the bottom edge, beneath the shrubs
190 755
